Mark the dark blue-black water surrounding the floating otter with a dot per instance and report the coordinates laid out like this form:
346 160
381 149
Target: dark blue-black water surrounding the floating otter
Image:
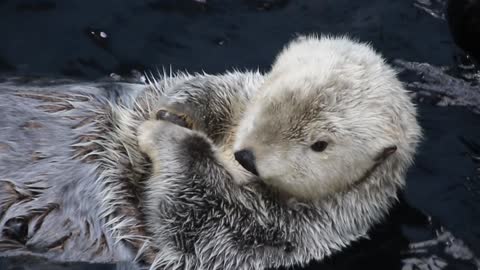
91 39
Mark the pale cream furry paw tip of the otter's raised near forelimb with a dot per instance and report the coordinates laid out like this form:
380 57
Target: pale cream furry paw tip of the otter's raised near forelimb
153 135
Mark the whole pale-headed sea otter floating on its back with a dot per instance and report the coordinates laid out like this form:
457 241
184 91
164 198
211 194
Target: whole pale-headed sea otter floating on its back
241 170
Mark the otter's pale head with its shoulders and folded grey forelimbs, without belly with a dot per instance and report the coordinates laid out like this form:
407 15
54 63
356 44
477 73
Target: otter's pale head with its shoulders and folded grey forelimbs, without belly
326 137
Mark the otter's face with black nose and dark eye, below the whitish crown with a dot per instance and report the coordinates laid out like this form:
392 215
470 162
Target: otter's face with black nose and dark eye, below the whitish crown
297 144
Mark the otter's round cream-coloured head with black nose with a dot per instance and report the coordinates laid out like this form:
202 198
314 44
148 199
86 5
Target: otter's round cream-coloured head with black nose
330 114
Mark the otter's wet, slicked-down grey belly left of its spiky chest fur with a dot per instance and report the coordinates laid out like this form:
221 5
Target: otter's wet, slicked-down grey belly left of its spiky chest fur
50 200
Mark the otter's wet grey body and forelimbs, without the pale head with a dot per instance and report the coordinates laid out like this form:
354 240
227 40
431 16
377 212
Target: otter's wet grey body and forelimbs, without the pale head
73 176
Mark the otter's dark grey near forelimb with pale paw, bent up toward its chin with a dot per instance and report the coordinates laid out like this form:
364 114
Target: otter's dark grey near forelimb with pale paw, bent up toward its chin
196 212
